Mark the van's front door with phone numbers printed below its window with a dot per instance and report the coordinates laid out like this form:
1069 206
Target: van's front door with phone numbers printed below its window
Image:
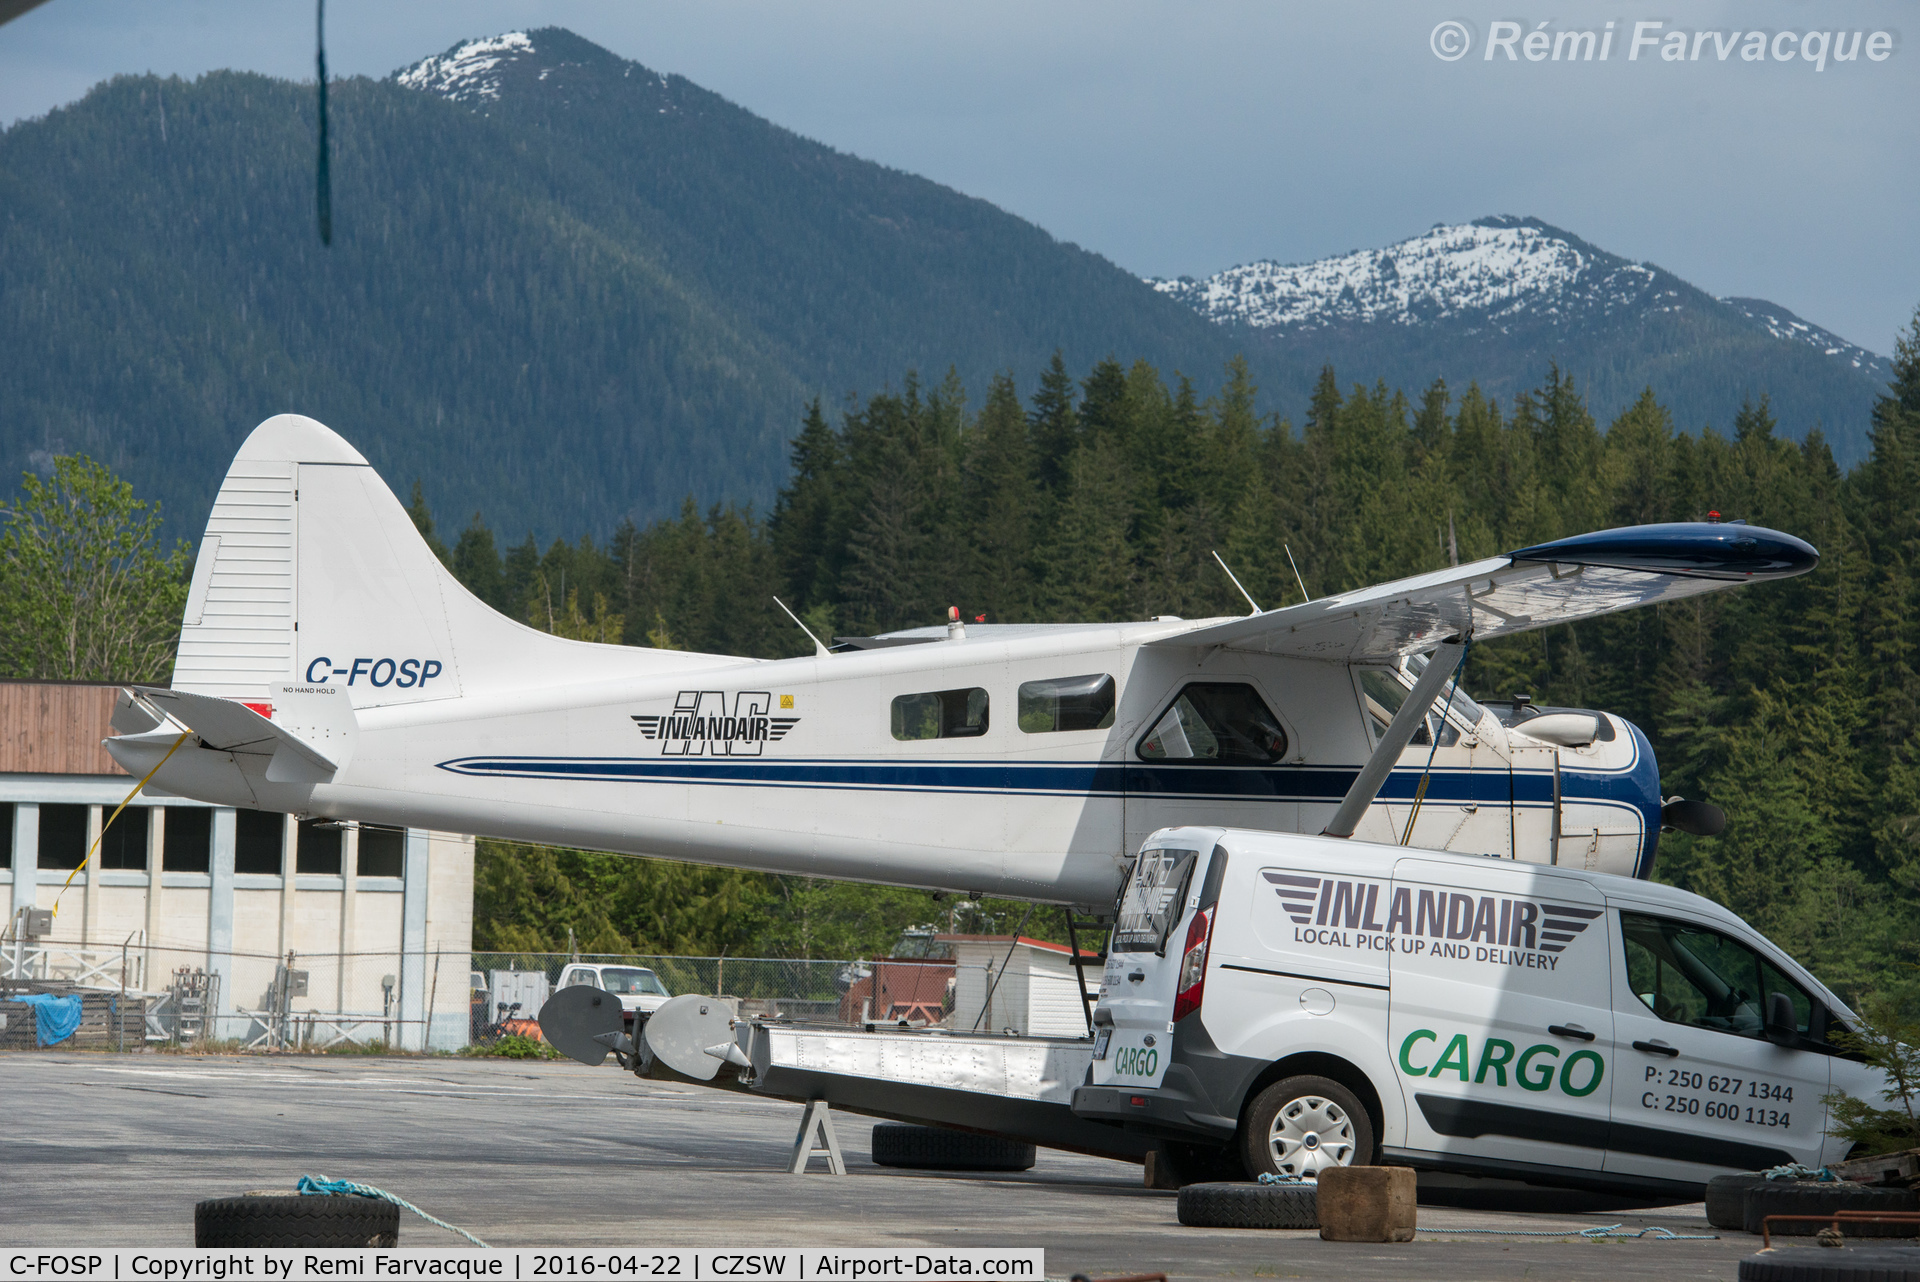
1702 1089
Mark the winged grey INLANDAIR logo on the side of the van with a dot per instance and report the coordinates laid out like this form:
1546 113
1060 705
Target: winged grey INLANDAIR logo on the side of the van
1328 911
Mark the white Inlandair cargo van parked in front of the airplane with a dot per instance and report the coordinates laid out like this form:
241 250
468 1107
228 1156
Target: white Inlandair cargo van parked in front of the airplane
1305 1003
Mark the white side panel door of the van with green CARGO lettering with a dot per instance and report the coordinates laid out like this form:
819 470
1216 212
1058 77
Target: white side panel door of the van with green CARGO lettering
1500 1014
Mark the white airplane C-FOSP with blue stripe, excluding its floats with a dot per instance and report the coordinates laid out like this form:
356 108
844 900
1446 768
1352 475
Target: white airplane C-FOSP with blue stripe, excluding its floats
331 667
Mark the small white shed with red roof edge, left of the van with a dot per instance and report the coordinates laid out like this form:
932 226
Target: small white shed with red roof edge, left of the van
1036 993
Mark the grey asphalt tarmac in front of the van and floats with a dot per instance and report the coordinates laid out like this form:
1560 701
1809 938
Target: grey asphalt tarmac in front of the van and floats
114 1151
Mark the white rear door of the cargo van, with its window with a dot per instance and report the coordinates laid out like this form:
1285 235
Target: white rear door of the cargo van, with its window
1134 1028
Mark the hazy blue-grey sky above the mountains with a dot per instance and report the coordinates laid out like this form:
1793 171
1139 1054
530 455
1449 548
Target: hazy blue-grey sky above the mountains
1180 139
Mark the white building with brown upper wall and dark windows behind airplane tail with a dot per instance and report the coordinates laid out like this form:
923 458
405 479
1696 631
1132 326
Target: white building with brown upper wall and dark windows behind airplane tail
185 886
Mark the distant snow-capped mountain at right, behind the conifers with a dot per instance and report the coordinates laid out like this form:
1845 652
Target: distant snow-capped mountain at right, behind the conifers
1499 298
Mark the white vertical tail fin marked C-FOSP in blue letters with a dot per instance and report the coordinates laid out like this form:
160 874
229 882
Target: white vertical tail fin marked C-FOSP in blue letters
314 575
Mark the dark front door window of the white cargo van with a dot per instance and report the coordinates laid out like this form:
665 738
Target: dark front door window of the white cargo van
1687 974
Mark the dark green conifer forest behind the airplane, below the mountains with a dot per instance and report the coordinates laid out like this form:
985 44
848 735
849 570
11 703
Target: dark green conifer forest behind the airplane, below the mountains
1103 496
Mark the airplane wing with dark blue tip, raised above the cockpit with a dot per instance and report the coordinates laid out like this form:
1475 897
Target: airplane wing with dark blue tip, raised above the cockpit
1539 586
